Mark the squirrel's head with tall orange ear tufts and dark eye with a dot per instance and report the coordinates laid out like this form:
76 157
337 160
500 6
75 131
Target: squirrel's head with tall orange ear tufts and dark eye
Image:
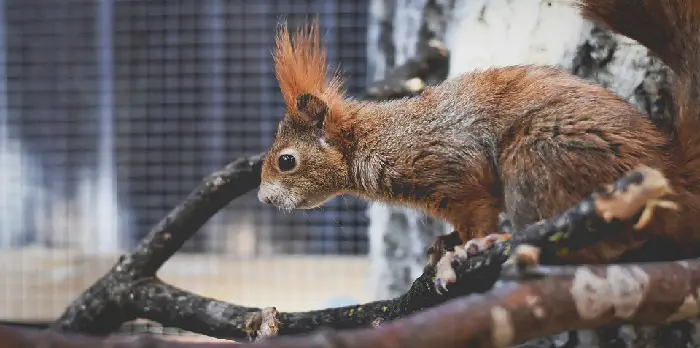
306 165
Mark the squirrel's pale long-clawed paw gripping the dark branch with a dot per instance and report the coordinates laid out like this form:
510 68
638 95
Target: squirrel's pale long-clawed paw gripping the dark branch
445 272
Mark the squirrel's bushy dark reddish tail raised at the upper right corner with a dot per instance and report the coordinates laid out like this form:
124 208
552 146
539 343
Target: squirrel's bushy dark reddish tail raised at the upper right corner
671 30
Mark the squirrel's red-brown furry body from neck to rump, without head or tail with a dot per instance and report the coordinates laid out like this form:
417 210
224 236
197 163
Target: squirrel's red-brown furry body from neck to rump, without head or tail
478 138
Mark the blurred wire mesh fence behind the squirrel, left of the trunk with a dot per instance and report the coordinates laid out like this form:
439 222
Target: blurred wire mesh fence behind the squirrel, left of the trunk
112 111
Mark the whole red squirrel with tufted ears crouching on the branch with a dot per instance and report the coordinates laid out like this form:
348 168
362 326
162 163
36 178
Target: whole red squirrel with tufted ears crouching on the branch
526 140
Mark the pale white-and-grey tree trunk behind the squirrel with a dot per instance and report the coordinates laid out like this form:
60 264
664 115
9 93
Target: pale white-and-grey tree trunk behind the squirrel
482 33
